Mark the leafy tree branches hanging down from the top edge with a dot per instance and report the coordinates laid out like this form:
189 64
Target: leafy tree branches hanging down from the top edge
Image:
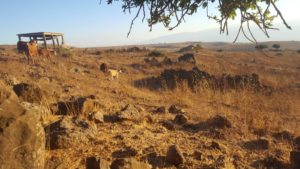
171 13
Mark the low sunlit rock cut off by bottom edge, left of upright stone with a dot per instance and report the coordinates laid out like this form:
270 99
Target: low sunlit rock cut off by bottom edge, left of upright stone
129 163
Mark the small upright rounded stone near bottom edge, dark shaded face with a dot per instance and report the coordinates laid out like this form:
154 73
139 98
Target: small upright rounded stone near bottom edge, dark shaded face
174 156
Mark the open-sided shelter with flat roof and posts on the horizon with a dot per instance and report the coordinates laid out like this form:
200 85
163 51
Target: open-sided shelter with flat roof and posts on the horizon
56 39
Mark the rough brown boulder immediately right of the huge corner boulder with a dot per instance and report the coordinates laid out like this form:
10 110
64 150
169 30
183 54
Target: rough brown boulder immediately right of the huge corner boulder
69 132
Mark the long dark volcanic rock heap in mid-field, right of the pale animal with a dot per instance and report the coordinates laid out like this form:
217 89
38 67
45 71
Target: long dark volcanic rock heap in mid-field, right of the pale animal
195 78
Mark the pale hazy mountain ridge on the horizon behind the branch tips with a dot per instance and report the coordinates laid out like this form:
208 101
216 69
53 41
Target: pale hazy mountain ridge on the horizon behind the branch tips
289 36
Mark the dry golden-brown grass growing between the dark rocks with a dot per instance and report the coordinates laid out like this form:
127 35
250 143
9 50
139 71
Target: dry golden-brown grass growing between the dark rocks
248 111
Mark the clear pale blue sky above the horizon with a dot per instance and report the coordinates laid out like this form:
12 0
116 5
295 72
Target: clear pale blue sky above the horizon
87 23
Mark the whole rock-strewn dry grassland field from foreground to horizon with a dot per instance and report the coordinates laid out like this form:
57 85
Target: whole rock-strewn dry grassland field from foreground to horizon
228 109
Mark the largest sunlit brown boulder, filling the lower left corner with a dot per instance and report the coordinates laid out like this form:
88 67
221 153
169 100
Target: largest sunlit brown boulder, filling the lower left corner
22 137
